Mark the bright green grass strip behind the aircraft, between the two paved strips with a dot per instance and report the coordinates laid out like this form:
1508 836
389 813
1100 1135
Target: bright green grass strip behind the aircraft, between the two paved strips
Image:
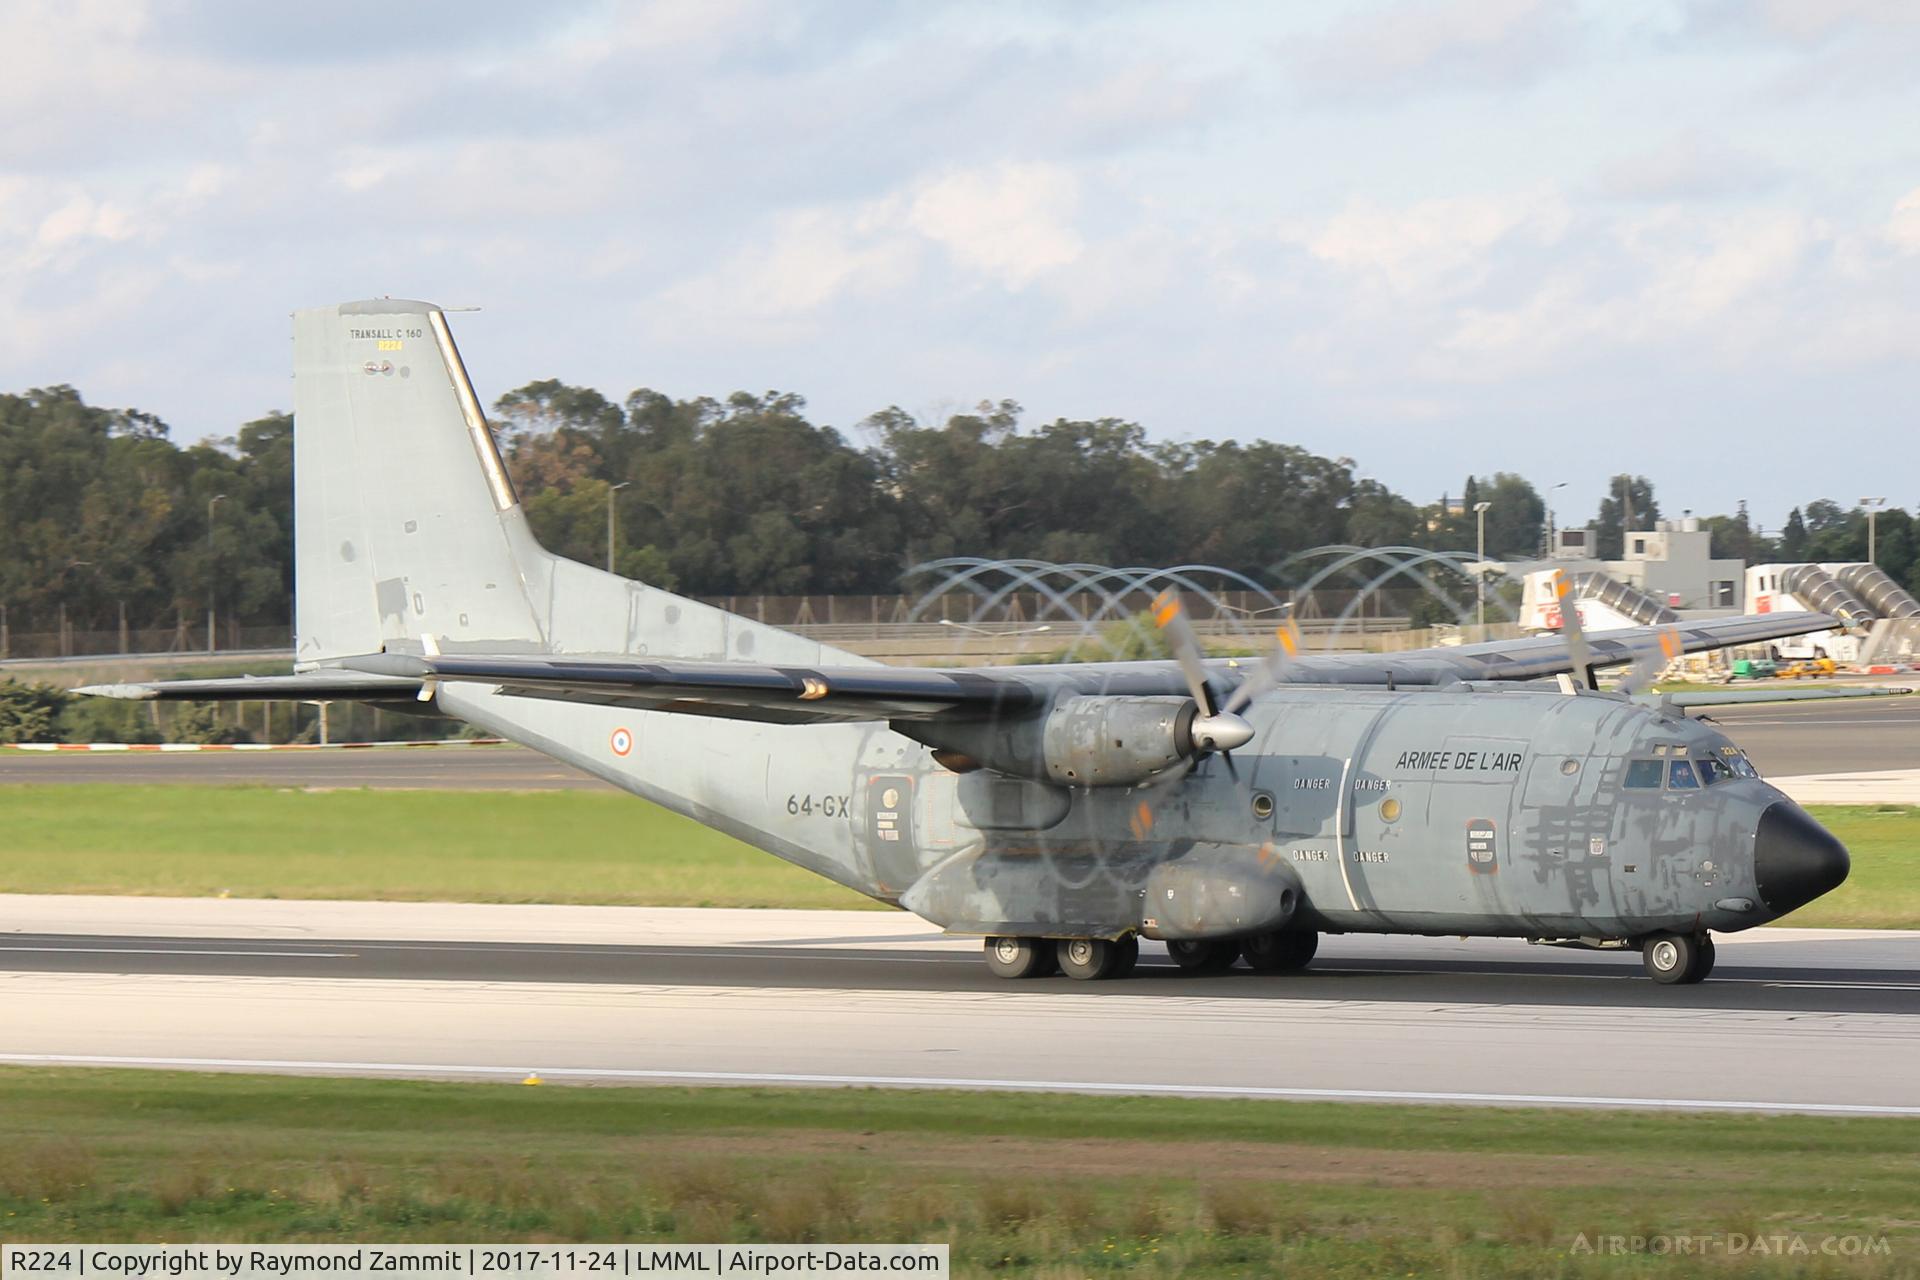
562 847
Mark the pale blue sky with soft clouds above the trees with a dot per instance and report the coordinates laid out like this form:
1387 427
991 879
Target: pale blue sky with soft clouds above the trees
1435 237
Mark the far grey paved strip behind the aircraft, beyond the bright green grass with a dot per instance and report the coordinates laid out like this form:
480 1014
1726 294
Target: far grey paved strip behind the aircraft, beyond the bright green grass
1785 740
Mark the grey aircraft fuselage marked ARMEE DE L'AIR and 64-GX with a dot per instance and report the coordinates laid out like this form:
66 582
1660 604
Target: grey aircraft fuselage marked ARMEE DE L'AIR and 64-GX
1456 811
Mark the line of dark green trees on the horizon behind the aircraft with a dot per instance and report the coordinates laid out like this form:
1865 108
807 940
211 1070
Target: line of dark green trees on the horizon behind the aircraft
101 511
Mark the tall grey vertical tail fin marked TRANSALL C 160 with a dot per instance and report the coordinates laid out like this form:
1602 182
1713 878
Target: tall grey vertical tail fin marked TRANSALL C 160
406 523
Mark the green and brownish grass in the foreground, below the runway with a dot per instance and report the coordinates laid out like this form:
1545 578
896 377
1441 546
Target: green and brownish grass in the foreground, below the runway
1015 1183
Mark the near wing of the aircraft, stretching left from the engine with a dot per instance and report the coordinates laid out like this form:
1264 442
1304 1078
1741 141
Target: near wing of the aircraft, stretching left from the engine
731 690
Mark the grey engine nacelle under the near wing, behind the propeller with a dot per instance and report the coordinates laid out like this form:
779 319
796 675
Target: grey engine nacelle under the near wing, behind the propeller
1082 742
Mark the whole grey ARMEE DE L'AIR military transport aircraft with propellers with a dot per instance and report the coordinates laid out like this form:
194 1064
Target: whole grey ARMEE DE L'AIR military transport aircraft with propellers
1061 813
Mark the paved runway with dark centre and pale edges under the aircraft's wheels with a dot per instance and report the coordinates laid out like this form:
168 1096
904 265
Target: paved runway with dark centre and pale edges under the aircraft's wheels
1792 1020
